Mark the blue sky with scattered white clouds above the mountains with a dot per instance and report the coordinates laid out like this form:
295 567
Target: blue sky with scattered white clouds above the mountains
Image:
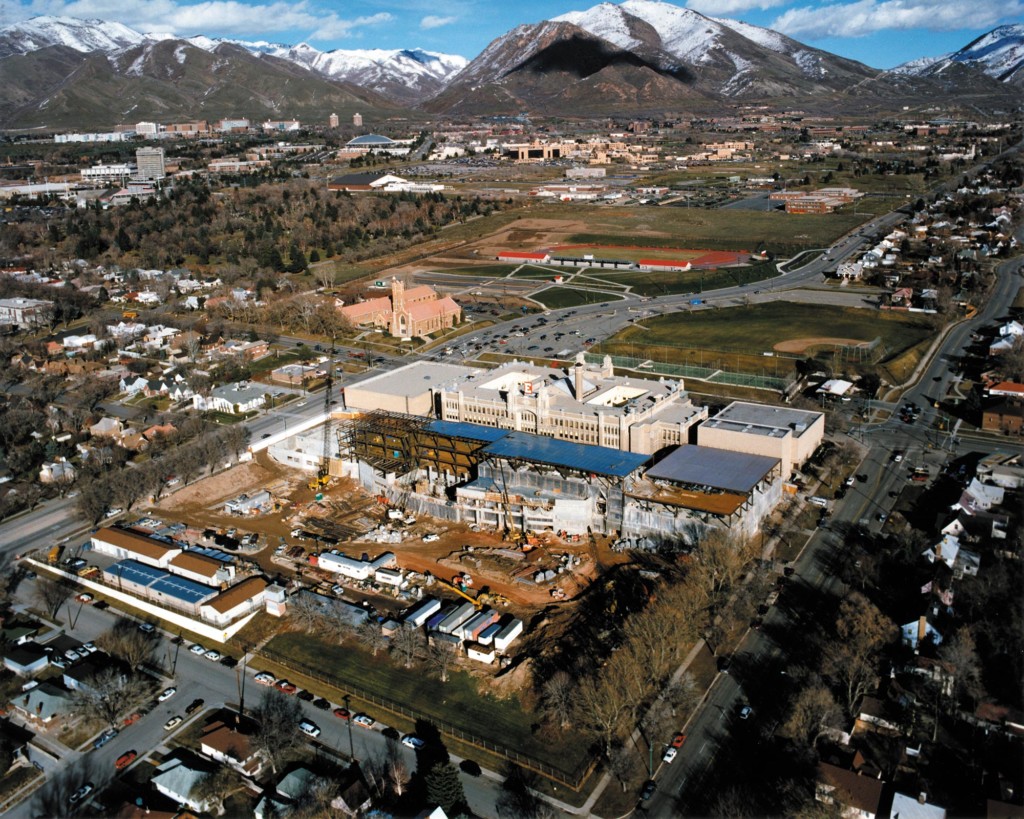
880 33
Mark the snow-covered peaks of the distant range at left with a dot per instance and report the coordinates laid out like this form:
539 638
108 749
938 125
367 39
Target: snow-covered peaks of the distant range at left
404 75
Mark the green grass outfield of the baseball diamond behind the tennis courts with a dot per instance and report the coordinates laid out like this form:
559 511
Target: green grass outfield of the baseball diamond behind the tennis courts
758 328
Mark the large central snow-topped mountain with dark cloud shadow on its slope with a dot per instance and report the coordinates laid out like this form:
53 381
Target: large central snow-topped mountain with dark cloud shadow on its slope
645 53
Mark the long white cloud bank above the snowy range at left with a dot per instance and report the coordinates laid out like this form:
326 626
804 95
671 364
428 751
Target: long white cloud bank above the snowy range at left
212 17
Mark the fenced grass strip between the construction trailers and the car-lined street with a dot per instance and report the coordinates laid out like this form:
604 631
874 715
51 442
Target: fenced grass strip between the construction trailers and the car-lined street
455 705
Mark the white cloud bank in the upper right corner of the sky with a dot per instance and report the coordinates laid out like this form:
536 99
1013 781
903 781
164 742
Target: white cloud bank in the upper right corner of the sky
868 17
